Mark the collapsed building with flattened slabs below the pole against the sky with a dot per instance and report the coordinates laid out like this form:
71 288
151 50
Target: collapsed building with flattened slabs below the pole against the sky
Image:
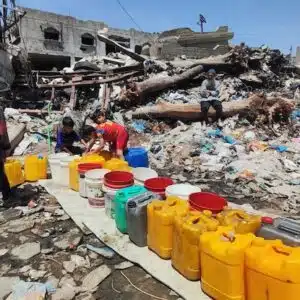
184 41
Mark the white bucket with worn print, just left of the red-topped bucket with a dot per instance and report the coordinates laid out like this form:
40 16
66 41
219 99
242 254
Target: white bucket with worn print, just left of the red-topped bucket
93 186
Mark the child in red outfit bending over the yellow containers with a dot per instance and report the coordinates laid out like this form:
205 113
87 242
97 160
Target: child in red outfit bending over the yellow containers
107 132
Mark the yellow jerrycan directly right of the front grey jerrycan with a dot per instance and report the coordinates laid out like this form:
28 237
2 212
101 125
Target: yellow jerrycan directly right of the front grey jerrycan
160 216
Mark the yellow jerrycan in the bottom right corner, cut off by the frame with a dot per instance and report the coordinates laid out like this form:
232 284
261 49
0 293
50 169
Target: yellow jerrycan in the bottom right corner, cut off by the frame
272 272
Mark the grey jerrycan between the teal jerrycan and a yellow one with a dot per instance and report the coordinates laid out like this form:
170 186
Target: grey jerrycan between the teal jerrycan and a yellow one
136 213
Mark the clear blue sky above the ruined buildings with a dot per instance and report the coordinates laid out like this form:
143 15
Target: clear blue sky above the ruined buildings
272 22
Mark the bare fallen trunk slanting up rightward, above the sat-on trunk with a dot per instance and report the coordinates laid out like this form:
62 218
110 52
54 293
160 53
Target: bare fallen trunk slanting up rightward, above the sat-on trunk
158 83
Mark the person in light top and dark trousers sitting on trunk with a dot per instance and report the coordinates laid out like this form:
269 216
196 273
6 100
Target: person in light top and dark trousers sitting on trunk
209 92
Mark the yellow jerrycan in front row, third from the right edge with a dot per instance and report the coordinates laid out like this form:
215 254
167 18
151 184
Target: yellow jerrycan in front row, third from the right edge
186 235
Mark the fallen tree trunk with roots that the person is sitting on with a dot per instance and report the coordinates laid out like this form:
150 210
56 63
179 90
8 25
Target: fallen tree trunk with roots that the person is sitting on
190 112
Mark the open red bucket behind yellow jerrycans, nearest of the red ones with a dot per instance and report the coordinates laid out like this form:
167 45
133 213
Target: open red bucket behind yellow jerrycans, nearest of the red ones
207 201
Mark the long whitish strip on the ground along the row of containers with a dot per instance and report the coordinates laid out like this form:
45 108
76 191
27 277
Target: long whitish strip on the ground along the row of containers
104 228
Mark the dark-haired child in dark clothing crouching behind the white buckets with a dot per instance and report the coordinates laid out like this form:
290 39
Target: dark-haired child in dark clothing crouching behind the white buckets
66 137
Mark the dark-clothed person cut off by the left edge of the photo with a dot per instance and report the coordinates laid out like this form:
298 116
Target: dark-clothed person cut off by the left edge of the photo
4 146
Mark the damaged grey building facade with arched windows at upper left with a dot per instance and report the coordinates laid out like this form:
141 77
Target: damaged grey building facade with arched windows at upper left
54 40
